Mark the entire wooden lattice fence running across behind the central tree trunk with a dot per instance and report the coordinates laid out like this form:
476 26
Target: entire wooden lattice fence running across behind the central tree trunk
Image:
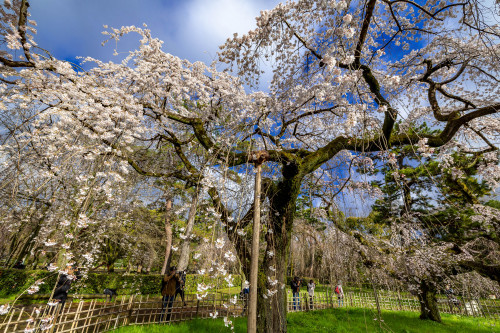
101 316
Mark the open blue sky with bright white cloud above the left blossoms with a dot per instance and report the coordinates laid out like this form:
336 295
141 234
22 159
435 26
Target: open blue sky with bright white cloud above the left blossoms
191 29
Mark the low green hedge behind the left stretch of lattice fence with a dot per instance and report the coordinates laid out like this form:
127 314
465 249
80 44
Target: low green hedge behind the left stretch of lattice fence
15 281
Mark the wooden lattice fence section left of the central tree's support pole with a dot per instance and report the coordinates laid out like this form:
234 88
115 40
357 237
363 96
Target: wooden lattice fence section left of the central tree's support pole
99 316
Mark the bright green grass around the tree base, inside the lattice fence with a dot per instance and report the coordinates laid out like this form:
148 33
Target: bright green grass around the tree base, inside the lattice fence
338 320
